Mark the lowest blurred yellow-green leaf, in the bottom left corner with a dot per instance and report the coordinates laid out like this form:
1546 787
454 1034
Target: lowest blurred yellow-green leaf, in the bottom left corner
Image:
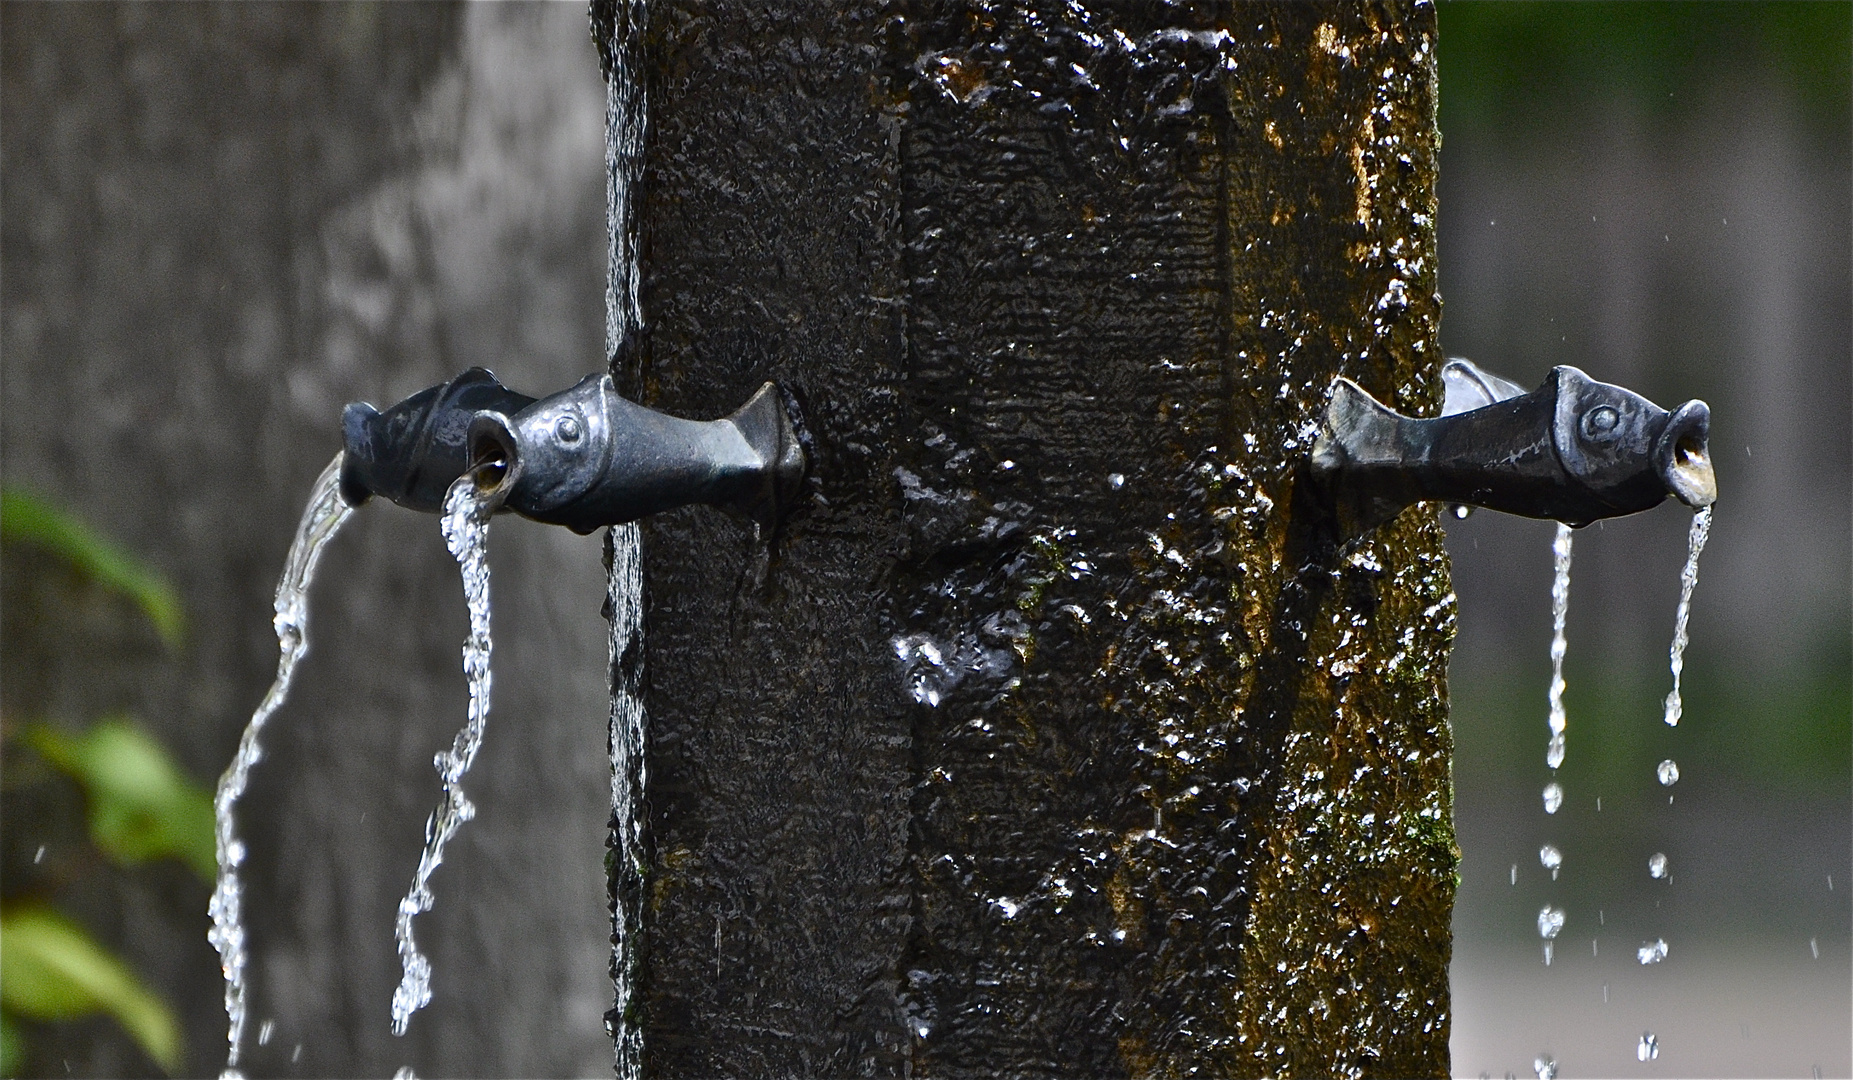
51 970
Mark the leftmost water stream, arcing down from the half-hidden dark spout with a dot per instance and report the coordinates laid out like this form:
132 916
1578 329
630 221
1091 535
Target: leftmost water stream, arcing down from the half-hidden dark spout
321 521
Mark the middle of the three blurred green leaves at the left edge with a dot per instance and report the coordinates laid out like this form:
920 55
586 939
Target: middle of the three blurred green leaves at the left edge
142 805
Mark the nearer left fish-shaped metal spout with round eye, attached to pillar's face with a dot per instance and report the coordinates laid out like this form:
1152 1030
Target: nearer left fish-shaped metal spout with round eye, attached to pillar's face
588 458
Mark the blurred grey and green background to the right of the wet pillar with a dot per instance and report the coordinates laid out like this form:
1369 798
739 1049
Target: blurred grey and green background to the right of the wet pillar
1659 194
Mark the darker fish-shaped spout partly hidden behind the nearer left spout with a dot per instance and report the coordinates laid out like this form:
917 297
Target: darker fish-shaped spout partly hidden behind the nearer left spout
414 451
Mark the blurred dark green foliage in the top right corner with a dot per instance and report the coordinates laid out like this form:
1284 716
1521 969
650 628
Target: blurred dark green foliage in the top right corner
1498 57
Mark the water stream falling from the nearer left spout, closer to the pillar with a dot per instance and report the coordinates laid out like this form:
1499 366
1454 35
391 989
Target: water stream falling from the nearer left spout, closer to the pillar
466 529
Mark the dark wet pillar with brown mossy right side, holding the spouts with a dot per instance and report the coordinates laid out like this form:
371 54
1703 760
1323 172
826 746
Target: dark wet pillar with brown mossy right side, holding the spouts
1059 735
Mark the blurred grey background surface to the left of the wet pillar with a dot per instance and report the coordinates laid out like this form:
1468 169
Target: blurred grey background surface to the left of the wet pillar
221 223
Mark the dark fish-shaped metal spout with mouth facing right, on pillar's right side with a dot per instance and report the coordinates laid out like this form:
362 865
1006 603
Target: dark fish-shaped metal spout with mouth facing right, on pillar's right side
1574 451
